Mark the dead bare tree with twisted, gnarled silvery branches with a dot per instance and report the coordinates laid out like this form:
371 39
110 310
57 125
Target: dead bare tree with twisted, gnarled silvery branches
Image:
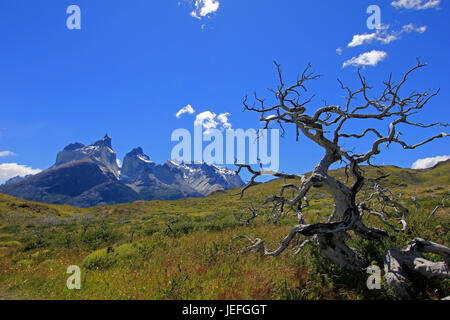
325 126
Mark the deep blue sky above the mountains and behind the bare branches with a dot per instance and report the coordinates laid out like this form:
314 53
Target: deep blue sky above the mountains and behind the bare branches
135 64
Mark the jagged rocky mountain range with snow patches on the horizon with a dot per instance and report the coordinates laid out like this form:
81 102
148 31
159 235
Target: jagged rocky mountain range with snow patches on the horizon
86 176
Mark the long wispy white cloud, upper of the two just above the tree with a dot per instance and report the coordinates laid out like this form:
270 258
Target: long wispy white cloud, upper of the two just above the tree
383 35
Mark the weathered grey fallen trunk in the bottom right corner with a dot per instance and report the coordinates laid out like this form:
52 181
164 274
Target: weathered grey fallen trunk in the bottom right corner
398 264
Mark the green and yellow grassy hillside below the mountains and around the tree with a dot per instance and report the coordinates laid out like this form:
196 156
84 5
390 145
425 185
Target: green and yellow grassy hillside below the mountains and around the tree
182 250
